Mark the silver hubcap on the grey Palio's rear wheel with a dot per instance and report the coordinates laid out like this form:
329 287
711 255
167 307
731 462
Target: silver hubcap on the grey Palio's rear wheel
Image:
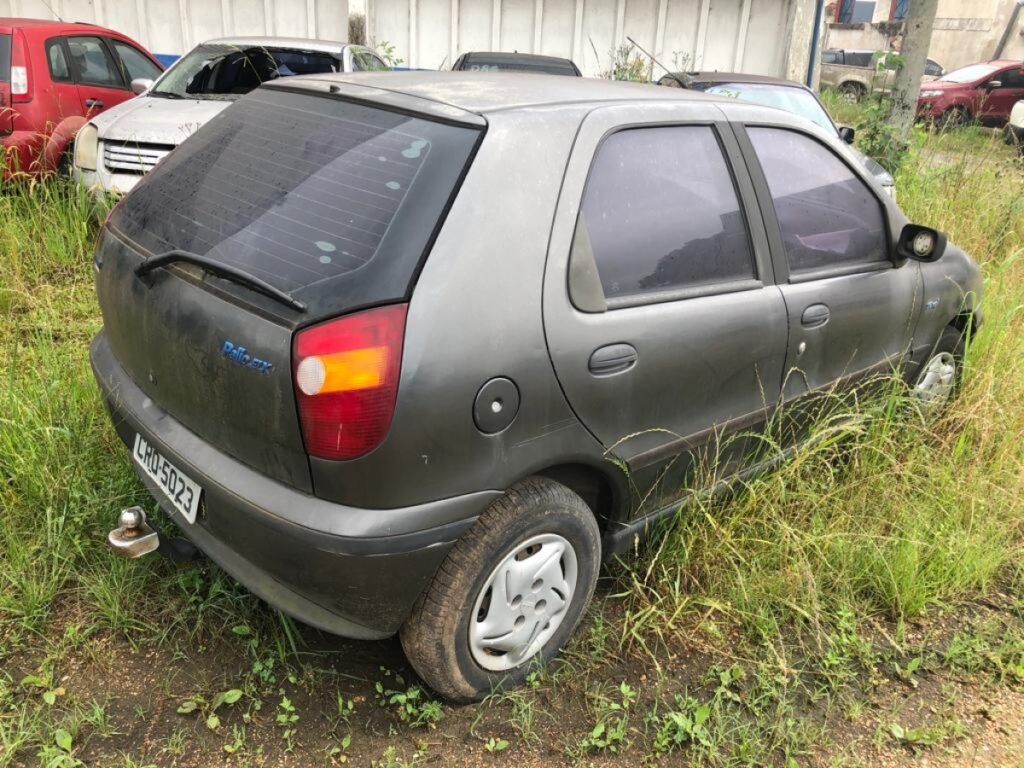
523 603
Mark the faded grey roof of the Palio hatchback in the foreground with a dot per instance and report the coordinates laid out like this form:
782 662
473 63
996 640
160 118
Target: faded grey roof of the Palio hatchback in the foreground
481 93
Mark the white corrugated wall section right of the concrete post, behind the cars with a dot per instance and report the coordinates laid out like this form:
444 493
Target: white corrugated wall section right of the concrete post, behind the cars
736 35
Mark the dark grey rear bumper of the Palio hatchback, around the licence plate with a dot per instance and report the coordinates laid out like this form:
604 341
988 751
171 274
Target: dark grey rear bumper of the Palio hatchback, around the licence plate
344 570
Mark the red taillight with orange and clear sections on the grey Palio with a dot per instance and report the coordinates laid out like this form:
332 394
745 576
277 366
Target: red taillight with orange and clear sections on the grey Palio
347 379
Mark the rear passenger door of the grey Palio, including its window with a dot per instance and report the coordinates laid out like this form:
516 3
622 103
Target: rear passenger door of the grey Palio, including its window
663 322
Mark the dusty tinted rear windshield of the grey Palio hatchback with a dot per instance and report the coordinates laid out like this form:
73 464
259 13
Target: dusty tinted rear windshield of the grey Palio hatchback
300 189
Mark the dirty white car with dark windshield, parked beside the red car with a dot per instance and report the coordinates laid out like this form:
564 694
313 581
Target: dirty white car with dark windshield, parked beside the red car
117 148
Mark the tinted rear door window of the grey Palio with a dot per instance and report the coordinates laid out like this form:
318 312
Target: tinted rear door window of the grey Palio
661 214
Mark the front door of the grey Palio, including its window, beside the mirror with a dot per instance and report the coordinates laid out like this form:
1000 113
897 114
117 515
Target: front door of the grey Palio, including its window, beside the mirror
851 310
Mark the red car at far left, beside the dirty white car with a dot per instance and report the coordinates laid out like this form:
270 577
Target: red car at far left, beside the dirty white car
54 77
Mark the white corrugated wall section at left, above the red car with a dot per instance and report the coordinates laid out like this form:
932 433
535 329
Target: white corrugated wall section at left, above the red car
173 27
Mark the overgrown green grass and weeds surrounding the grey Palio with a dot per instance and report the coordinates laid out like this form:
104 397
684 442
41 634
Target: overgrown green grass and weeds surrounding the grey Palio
852 609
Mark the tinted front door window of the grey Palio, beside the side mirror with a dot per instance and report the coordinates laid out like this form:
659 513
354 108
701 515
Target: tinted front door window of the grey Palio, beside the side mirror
829 218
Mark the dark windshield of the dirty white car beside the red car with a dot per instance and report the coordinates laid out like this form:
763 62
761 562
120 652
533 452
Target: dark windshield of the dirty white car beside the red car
227 72
